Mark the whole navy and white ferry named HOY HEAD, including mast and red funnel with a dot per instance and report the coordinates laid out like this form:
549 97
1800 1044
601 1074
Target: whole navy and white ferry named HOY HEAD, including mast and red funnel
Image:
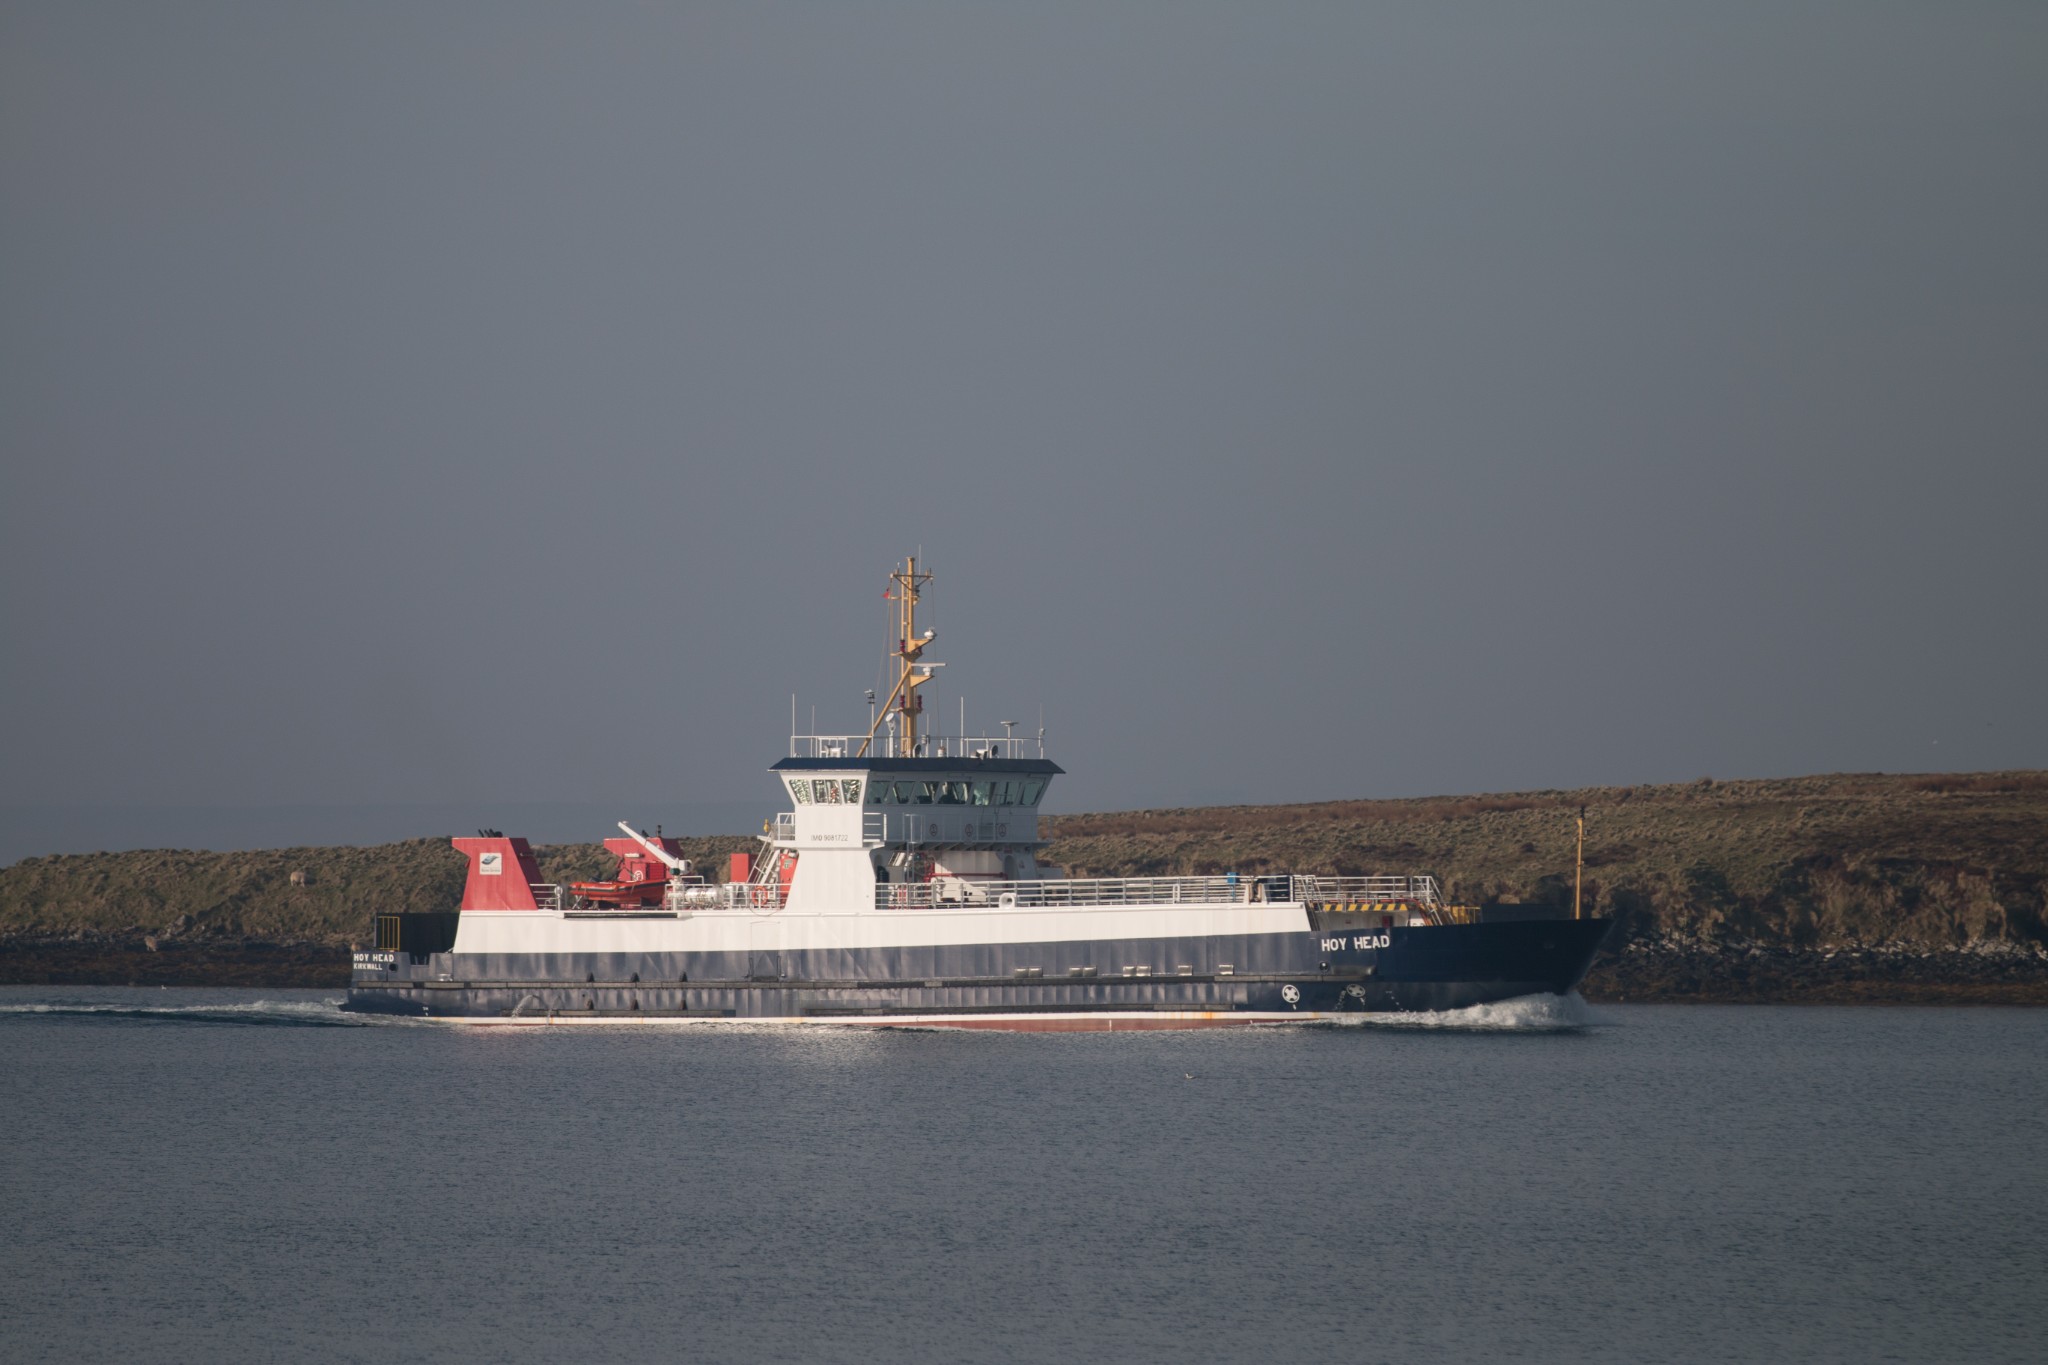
904 887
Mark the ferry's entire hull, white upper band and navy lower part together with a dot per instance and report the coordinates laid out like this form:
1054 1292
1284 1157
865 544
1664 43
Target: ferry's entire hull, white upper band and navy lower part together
1201 967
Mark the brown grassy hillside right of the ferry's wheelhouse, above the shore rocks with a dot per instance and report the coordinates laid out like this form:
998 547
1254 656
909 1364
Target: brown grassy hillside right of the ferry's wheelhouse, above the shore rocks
1924 861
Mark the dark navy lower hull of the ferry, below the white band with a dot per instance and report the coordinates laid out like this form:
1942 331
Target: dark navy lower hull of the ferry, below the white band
1326 971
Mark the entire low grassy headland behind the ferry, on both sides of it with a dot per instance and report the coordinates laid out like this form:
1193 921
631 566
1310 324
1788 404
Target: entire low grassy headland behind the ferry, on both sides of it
1842 887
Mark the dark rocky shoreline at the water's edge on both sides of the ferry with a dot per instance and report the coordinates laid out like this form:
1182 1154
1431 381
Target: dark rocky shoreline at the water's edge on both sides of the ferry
1637 973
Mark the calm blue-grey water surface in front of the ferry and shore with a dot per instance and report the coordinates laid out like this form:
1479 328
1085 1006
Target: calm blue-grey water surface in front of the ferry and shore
220 1176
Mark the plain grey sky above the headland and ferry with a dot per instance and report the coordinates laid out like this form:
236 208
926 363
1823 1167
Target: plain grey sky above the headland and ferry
517 402
